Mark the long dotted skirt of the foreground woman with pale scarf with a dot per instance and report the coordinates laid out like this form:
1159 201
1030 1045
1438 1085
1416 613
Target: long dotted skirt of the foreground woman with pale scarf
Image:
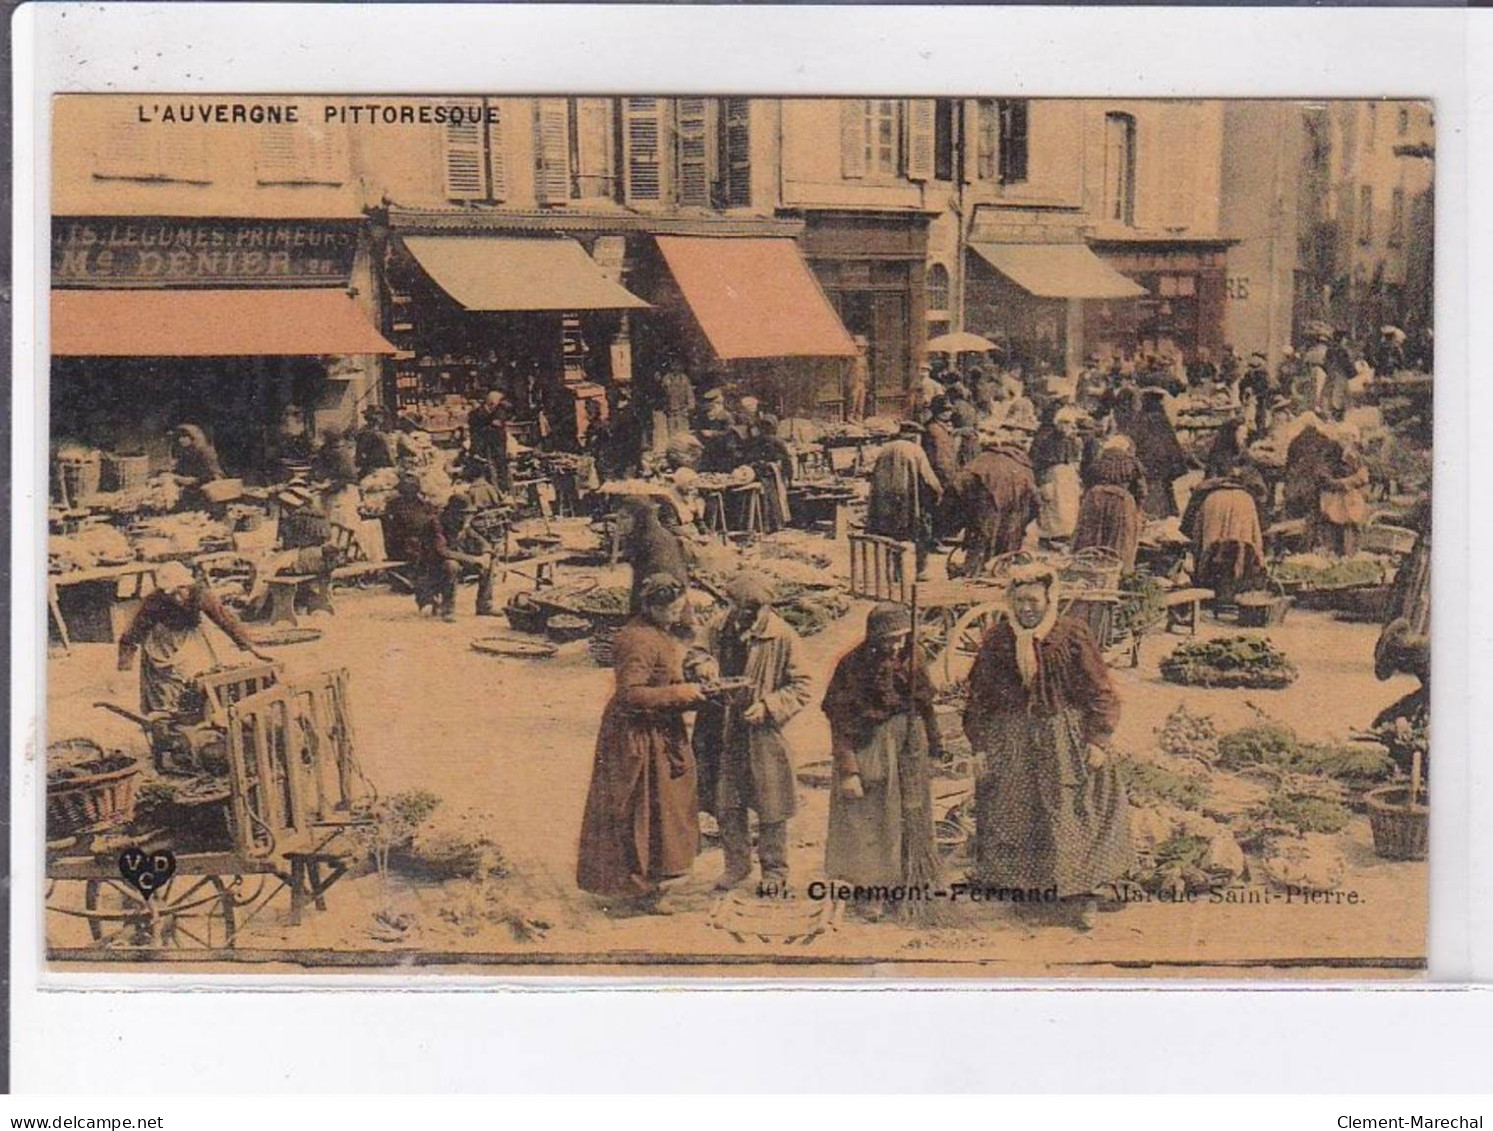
1043 818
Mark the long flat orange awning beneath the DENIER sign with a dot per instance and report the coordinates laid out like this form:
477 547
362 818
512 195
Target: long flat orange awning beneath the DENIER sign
284 323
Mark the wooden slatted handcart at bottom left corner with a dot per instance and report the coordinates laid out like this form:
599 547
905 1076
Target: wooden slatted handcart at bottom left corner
287 801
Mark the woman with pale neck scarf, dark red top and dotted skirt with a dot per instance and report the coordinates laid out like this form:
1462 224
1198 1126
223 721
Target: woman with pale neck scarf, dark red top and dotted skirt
1050 809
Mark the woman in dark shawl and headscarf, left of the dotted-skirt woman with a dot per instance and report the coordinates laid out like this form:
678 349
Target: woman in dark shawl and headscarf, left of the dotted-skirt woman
880 705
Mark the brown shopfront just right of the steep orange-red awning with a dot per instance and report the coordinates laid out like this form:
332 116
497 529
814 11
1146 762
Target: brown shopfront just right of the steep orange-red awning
873 266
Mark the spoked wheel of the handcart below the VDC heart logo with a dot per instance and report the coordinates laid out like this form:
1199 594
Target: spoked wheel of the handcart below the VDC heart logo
190 914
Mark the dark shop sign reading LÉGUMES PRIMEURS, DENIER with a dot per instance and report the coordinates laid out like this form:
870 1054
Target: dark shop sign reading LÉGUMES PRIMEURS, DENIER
201 253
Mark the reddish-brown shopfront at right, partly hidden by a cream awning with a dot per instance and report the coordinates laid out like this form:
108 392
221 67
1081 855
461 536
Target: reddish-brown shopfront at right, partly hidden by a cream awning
1183 307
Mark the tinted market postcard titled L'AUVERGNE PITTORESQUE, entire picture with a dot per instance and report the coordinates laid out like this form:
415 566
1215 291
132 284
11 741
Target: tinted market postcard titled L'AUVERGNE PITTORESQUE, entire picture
740 536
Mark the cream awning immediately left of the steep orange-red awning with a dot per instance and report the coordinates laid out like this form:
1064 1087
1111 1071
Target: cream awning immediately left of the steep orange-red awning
499 274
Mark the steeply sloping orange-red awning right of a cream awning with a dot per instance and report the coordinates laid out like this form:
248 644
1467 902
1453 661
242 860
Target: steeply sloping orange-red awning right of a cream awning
755 298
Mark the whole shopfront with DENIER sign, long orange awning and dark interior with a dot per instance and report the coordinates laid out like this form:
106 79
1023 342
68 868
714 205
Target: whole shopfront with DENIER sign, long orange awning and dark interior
226 323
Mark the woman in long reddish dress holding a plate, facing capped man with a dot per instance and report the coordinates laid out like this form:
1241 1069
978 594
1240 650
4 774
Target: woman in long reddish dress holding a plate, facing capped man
641 824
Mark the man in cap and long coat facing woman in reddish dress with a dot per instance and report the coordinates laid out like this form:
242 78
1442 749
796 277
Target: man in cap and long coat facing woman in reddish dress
744 762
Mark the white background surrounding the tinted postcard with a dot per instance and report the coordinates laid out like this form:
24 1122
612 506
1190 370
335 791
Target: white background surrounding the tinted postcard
1109 1039
